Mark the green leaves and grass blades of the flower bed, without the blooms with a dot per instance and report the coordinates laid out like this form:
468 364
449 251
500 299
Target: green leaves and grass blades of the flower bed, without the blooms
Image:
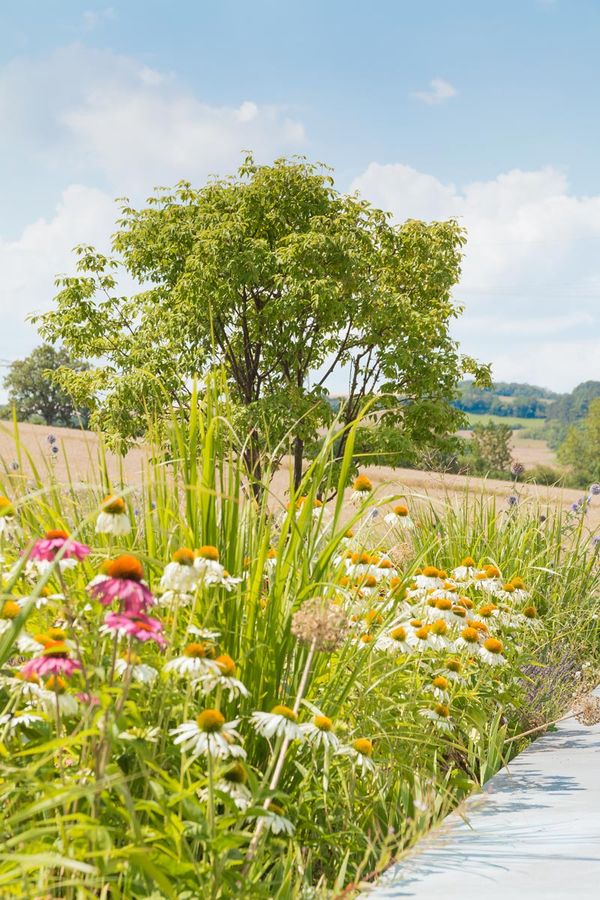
110 807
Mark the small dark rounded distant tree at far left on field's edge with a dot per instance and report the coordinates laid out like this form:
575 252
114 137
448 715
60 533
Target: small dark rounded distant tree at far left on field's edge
35 395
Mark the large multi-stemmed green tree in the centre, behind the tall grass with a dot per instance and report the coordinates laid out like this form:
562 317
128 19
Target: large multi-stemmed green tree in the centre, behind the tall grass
282 280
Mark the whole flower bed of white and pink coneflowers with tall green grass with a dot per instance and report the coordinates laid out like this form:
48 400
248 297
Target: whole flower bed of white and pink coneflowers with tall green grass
209 691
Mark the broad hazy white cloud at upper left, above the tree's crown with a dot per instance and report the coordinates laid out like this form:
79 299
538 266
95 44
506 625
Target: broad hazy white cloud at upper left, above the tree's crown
107 116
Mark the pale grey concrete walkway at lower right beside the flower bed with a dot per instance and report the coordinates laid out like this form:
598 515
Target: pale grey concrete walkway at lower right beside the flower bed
534 832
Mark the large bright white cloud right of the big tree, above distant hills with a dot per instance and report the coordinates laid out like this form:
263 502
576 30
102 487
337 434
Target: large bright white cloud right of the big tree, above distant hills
531 274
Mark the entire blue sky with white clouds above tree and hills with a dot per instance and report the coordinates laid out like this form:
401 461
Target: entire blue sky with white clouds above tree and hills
479 110
